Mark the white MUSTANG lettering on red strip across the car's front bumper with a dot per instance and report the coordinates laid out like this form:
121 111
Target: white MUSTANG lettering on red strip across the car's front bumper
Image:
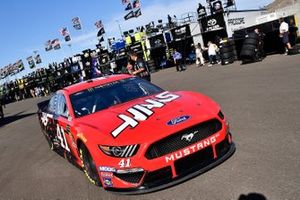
191 149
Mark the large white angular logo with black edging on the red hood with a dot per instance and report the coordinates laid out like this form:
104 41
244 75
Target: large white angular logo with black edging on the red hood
142 112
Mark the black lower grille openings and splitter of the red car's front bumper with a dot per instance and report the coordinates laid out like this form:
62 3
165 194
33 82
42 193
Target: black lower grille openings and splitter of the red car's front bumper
186 168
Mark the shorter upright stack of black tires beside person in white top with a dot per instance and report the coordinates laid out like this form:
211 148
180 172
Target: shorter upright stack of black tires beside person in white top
227 52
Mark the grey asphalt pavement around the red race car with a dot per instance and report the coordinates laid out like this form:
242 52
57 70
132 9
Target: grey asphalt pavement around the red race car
261 101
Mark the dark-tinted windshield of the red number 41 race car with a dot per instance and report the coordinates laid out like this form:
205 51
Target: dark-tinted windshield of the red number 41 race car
104 96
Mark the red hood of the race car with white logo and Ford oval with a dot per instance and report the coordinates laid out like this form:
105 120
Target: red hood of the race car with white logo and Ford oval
128 123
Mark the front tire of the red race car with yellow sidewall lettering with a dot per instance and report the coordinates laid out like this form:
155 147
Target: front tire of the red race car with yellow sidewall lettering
89 167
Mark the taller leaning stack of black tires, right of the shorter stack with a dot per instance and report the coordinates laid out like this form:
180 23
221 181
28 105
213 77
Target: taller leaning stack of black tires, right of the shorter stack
250 48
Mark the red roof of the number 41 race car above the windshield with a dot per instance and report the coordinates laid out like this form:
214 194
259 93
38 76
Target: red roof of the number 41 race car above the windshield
93 83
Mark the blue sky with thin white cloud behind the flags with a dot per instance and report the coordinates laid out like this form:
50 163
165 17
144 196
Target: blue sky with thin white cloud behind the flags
27 25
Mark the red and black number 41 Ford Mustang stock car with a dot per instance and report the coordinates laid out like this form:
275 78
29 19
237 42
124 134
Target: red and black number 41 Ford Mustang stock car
131 136
